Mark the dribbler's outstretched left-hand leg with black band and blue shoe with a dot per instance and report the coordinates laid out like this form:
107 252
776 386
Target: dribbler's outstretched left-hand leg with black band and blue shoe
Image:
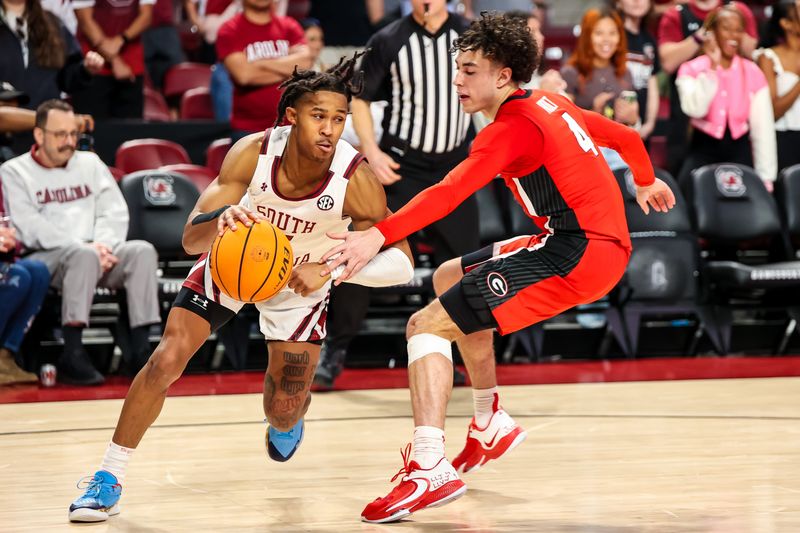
189 324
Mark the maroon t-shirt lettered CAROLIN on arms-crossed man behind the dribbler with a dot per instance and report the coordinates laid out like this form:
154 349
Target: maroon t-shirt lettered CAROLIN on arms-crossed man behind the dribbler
255 107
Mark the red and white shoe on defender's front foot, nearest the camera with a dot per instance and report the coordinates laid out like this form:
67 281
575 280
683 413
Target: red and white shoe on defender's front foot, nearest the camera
419 489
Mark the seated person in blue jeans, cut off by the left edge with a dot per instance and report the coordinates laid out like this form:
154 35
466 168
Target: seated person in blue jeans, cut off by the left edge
23 286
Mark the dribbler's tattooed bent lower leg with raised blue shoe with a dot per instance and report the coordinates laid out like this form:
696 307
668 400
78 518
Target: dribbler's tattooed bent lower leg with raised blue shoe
287 396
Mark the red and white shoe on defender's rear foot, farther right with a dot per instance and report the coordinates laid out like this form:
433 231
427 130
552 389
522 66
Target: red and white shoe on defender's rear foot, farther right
500 436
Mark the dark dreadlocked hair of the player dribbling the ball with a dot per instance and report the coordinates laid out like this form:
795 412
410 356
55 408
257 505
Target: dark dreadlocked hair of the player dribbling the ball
342 78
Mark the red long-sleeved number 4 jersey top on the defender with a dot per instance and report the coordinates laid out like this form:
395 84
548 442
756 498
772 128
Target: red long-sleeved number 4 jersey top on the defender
543 146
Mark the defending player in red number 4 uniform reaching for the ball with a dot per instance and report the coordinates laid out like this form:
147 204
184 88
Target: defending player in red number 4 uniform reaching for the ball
544 148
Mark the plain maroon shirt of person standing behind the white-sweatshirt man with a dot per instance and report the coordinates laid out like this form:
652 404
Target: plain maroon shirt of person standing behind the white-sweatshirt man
114 17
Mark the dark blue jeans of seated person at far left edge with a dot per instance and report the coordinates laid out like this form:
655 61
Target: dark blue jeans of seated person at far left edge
22 291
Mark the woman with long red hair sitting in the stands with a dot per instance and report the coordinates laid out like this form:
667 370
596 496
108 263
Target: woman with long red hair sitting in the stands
597 72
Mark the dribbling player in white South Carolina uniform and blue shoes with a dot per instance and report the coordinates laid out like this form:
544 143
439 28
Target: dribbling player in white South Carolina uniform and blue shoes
307 182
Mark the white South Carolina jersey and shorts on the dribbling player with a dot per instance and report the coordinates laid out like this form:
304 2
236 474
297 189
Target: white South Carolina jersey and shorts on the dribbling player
305 221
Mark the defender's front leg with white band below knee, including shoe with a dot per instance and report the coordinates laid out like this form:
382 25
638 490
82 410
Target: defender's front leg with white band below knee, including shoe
429 479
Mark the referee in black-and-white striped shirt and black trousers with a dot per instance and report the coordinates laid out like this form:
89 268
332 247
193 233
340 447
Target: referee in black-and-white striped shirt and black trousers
425 134
